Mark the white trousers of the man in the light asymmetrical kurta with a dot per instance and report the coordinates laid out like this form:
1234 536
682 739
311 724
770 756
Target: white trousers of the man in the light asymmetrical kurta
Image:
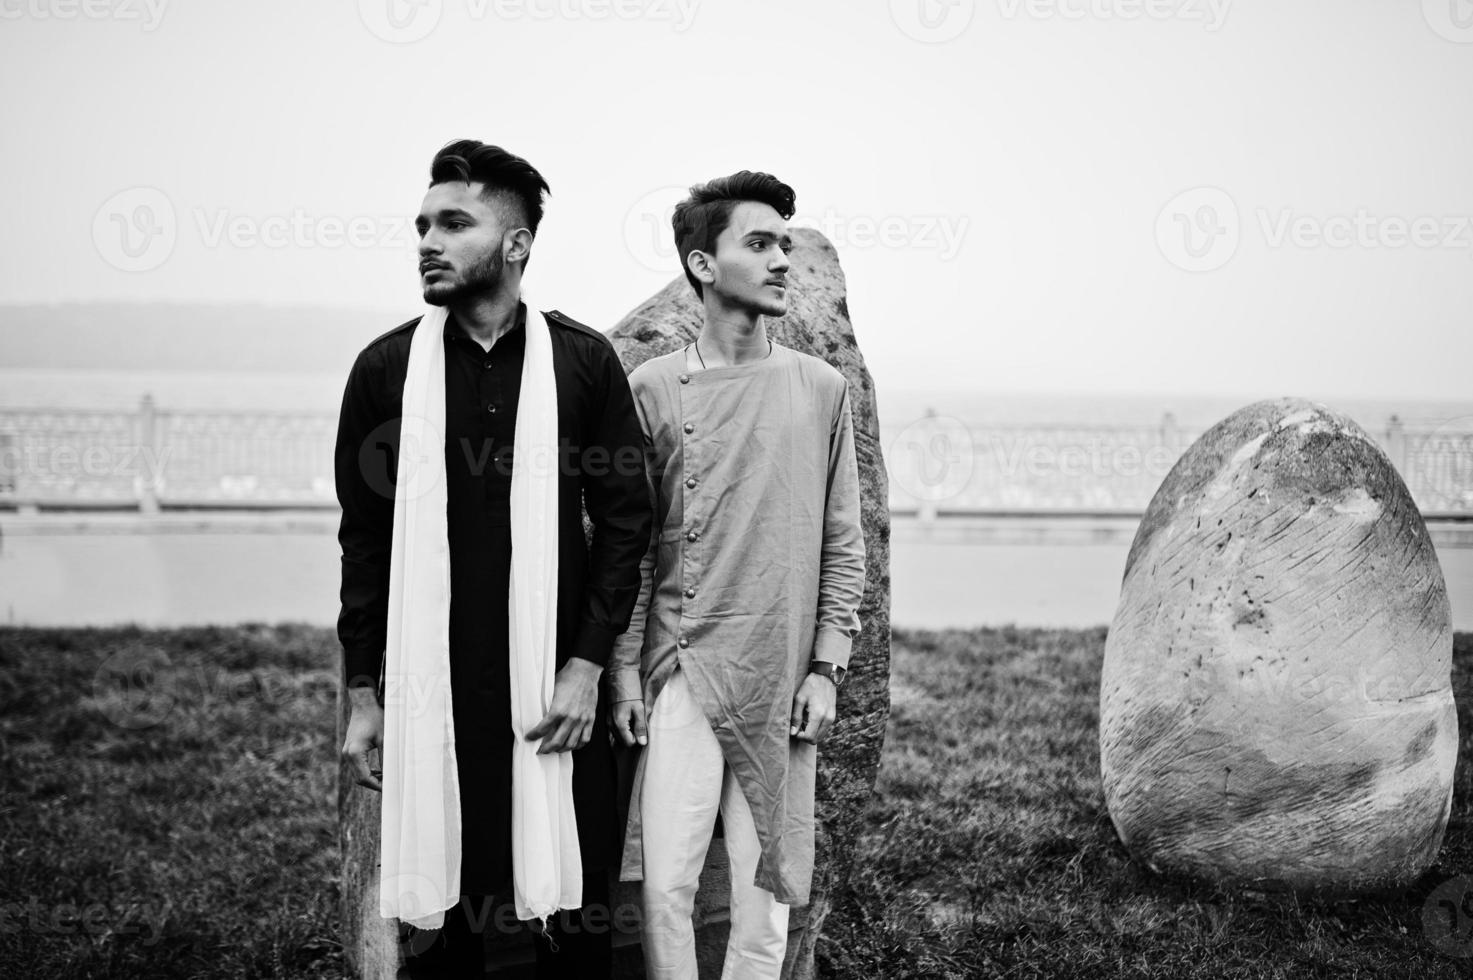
686 780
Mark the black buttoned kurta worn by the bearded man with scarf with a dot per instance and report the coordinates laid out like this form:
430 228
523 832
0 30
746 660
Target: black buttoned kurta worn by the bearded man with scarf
602 468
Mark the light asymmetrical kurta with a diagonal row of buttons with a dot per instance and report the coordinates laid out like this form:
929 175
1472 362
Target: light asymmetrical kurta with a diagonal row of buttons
756 568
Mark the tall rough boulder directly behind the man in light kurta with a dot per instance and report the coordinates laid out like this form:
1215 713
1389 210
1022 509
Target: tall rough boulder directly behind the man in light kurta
817 323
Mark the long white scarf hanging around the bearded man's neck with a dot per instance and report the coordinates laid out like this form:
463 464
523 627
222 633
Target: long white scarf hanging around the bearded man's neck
422 823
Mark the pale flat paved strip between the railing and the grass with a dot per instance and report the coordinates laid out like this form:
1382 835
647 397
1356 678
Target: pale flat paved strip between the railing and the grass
247 575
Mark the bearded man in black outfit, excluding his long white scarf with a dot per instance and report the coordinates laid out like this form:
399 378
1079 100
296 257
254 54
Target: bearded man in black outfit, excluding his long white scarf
477 231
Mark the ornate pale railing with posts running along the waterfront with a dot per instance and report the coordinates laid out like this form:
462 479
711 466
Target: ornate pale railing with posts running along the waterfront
152 461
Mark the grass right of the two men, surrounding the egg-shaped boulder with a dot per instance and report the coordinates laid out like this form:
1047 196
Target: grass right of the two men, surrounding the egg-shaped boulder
989 853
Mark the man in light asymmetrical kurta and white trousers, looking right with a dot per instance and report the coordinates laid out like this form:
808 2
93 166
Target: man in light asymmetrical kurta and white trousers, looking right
750 592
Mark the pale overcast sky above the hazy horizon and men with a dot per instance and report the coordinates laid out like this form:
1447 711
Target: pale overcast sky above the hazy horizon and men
1200 197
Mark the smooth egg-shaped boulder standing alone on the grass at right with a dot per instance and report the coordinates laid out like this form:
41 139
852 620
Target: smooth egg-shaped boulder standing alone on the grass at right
1276 705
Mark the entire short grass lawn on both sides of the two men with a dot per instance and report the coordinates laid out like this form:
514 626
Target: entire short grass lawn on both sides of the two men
169 811
